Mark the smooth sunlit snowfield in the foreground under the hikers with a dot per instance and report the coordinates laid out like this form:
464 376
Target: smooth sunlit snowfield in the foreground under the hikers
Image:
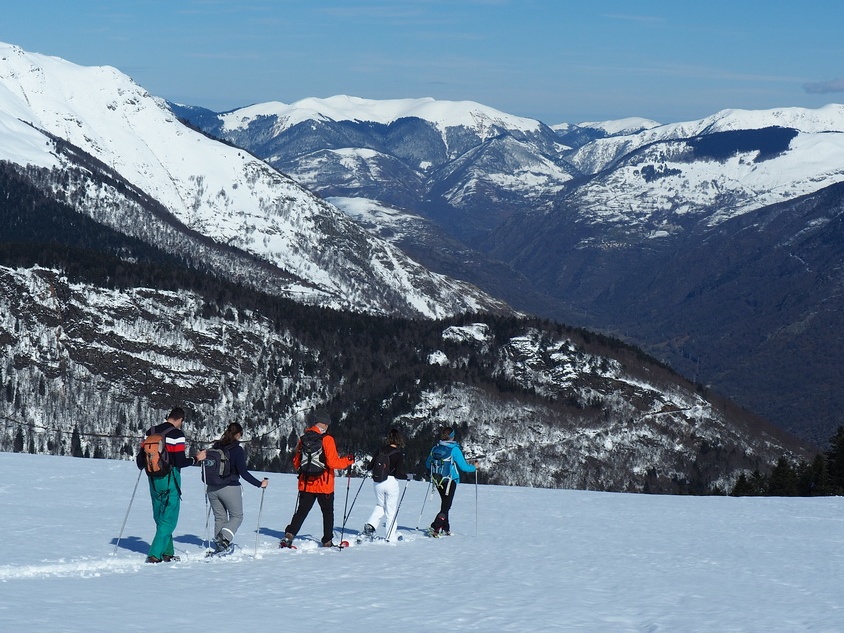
521 560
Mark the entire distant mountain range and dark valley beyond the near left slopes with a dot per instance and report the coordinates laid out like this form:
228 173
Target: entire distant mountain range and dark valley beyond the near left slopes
617 225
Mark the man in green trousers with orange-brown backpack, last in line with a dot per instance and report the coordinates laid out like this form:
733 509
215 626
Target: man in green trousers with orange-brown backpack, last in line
166 491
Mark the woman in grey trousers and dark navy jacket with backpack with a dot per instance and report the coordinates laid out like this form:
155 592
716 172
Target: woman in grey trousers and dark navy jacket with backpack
225 492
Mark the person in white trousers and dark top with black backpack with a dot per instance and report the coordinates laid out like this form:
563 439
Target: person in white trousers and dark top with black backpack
387 467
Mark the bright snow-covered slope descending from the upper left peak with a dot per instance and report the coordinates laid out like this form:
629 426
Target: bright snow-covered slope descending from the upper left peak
208 188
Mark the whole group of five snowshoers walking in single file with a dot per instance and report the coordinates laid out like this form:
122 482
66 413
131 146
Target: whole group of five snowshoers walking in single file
163 455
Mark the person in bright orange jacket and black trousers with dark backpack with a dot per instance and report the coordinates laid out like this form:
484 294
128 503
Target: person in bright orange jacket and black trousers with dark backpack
316 478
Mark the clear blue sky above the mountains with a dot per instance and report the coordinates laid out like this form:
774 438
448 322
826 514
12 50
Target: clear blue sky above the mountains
554 60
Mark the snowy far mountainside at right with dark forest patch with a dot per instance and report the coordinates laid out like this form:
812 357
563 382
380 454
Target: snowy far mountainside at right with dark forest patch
714 169
